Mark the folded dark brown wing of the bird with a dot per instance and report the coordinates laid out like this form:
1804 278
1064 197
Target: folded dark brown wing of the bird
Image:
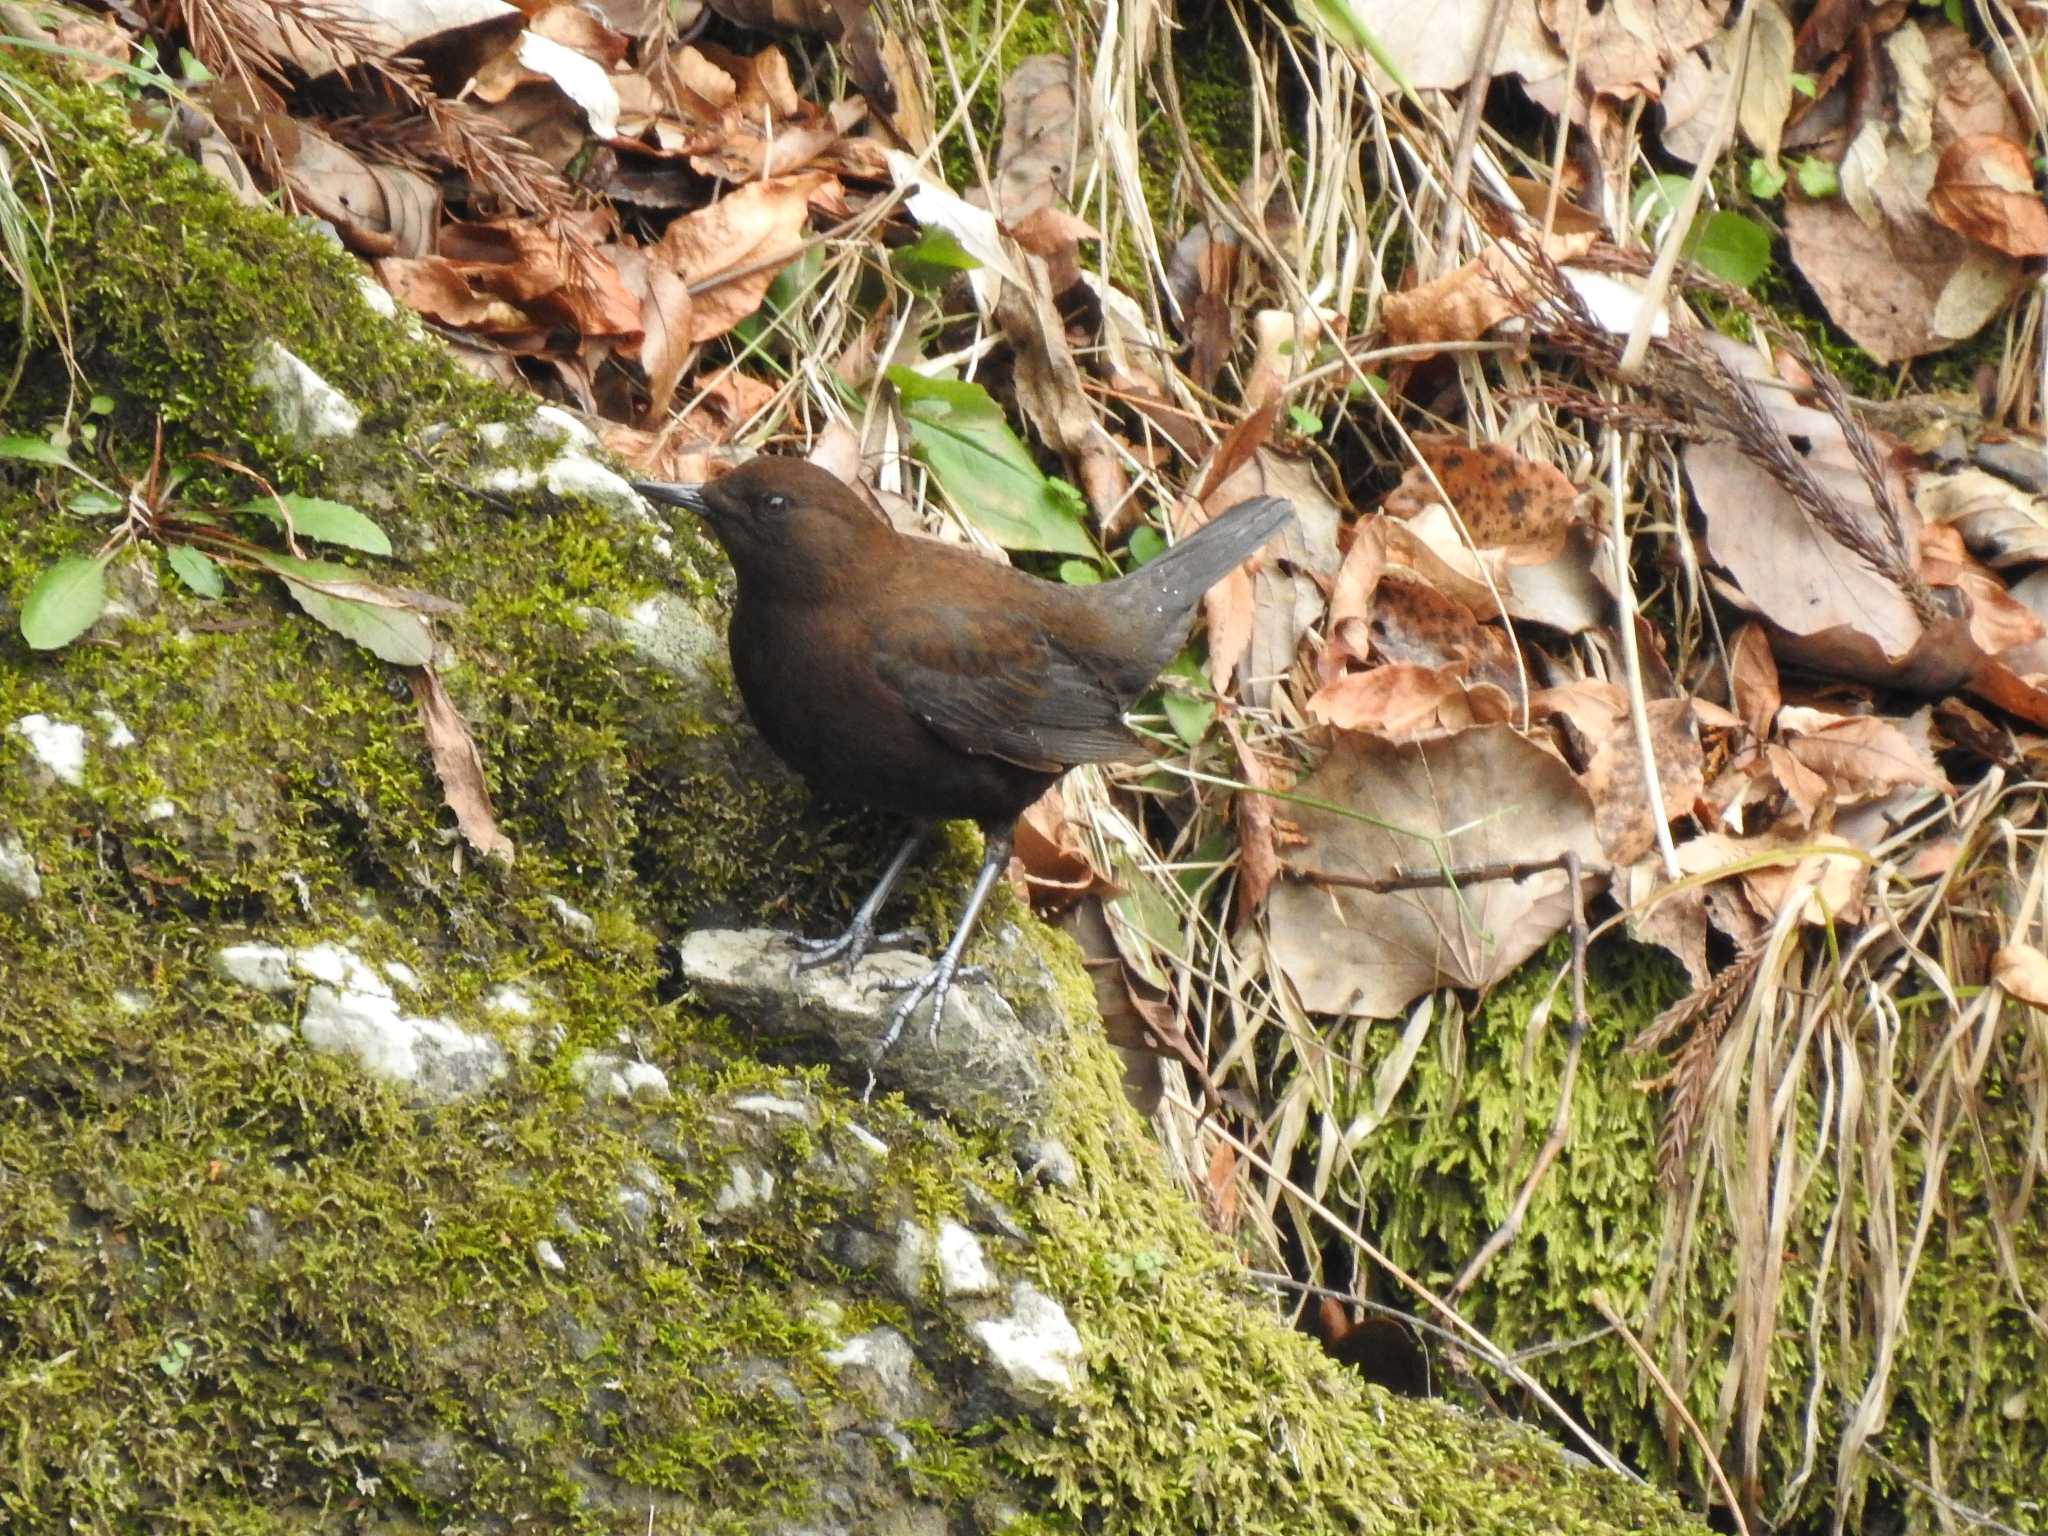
1002 687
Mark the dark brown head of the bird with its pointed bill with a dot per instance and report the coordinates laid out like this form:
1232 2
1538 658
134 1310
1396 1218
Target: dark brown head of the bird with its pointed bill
783 521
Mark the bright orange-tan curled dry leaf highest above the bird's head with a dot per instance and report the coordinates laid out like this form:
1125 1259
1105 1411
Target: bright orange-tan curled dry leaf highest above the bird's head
732 251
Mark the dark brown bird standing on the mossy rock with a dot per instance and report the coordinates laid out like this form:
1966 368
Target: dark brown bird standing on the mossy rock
923 679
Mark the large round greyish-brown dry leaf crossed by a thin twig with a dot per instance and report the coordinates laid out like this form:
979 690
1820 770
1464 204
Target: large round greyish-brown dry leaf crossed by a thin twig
1471 800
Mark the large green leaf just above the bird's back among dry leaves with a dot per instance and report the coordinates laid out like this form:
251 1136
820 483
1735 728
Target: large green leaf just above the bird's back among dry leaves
986 472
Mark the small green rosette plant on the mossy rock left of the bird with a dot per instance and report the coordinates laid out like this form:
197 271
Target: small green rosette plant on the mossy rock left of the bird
200 542
